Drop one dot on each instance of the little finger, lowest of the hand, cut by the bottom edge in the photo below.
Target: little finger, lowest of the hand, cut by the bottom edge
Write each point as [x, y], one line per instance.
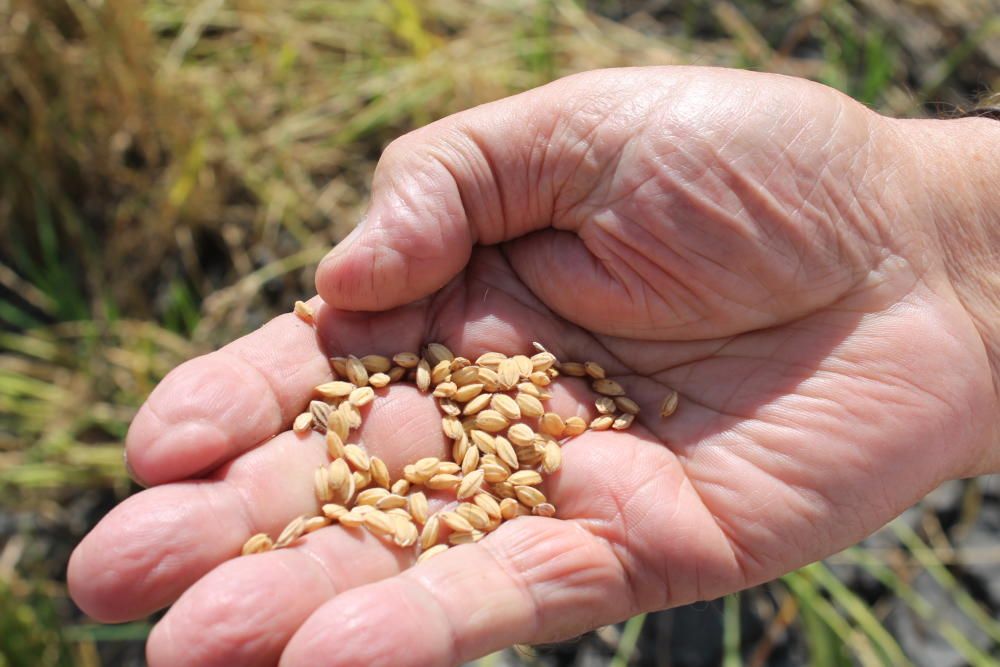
[532, 580]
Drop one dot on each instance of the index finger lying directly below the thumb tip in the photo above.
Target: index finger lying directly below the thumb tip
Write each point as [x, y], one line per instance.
[210, 409]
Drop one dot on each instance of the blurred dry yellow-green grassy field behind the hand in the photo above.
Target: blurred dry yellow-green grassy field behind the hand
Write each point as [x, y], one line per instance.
[170, 173]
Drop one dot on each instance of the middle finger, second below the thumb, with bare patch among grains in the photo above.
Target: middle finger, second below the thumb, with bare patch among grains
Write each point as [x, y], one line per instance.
[153, 546]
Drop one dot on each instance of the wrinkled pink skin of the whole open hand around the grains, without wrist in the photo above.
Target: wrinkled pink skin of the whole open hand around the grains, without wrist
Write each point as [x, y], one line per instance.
[762, 244]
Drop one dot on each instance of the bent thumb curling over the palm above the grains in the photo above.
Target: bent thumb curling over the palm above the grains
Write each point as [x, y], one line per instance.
[479, 176]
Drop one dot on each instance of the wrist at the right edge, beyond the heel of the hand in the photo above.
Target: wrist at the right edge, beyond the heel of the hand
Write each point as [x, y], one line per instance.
[959, 161]
